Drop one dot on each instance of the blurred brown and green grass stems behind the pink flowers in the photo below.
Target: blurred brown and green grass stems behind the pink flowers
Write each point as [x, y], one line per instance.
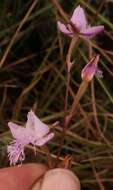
[33, 75]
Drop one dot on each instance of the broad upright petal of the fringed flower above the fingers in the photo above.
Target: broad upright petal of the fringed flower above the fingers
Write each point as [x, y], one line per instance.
[34, 123]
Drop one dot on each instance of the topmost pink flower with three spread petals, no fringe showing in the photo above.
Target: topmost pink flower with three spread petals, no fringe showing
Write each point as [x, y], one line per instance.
[78, 24]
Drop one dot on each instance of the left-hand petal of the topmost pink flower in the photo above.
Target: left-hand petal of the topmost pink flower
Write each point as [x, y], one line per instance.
[63, 29]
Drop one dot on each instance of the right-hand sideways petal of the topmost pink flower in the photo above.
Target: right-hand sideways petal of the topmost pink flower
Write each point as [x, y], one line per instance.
[92, 31]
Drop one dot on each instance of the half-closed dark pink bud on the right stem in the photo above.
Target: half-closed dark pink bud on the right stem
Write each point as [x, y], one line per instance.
[91, 69]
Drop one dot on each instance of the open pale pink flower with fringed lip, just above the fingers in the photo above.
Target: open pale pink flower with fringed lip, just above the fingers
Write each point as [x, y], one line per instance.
[35, 132]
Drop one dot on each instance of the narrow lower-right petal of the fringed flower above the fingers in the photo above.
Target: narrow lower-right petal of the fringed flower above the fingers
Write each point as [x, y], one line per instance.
[42, 141]
